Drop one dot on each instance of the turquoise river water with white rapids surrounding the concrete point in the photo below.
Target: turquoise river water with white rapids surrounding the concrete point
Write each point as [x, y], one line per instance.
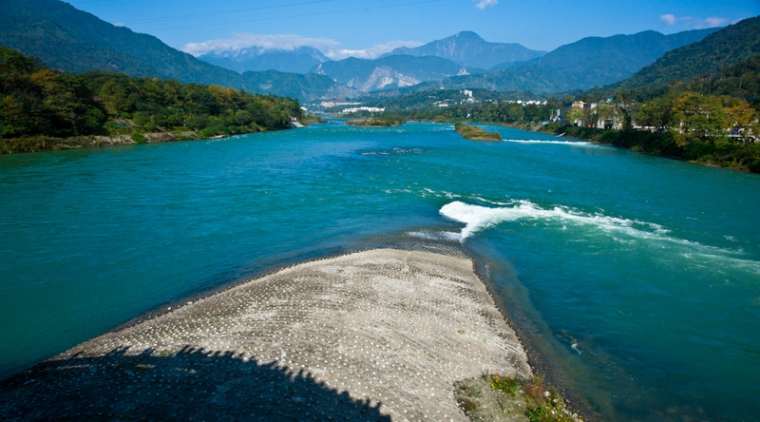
[635, 279]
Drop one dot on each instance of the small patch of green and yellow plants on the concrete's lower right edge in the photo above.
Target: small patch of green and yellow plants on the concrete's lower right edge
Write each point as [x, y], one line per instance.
[501, 398]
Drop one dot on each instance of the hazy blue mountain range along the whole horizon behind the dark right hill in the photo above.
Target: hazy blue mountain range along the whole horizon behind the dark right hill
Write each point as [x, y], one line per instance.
[68, 39]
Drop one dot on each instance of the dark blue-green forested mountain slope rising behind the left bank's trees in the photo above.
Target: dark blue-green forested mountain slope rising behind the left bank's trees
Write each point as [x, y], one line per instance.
[68, 39]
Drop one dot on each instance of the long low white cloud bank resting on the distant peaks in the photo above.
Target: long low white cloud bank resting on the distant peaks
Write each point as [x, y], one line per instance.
[331, 48]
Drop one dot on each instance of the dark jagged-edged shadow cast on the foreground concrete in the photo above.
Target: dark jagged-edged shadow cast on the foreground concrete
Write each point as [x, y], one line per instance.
[190, 384]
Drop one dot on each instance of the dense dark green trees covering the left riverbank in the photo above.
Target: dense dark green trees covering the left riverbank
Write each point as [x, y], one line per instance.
[45, 109]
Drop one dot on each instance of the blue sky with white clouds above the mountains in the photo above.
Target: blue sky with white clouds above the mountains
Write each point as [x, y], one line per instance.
[366, 28]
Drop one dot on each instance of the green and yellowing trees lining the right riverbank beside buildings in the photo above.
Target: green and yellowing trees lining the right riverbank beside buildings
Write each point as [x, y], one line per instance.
[709, 129]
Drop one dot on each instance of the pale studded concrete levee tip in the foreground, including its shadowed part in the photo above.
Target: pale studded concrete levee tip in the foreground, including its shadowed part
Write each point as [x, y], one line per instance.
[371, 335]
